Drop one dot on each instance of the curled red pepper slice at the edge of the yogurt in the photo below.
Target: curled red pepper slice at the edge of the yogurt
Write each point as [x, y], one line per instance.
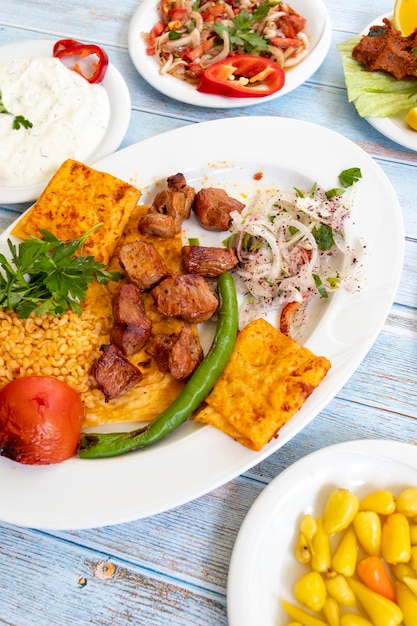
[89, 60]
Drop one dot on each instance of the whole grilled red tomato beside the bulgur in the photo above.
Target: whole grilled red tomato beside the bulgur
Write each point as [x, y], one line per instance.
[40, 420]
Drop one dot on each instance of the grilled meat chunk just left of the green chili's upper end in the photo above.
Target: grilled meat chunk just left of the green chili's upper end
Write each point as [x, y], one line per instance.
[187, 296]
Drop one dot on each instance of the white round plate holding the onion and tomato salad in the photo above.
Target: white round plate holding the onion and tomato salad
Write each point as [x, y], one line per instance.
[318, 29]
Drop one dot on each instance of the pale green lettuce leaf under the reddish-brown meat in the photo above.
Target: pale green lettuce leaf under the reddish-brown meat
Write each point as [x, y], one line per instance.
[375, 94]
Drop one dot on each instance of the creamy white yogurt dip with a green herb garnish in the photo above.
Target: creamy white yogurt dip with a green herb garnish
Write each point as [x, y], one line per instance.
[69, 119]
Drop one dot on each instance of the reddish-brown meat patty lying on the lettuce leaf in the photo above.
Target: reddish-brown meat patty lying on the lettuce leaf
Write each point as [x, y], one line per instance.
[384, 48]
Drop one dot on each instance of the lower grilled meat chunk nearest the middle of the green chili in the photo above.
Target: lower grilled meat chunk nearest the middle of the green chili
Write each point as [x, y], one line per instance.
[180, 355]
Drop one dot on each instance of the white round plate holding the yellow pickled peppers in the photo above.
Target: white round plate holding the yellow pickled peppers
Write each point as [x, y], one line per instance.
[263, 568]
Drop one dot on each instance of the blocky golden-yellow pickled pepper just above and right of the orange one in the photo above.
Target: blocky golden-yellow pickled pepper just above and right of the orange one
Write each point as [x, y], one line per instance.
[395, 539]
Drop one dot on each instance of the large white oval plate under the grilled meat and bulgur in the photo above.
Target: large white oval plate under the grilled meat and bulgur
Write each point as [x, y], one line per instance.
[196, 459]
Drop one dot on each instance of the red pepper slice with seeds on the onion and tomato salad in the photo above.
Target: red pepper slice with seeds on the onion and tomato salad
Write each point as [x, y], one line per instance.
[242, 76]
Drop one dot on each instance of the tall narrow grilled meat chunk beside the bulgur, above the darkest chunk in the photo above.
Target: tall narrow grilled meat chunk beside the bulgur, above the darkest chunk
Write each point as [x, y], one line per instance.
[132, 326]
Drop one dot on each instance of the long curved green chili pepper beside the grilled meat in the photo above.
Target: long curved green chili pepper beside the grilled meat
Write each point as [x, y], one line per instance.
[101, 445]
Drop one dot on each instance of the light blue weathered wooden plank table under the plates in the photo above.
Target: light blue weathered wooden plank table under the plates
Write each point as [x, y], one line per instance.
[172, 568]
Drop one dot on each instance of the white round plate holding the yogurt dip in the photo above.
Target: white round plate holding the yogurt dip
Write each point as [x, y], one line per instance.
[120, 107]
